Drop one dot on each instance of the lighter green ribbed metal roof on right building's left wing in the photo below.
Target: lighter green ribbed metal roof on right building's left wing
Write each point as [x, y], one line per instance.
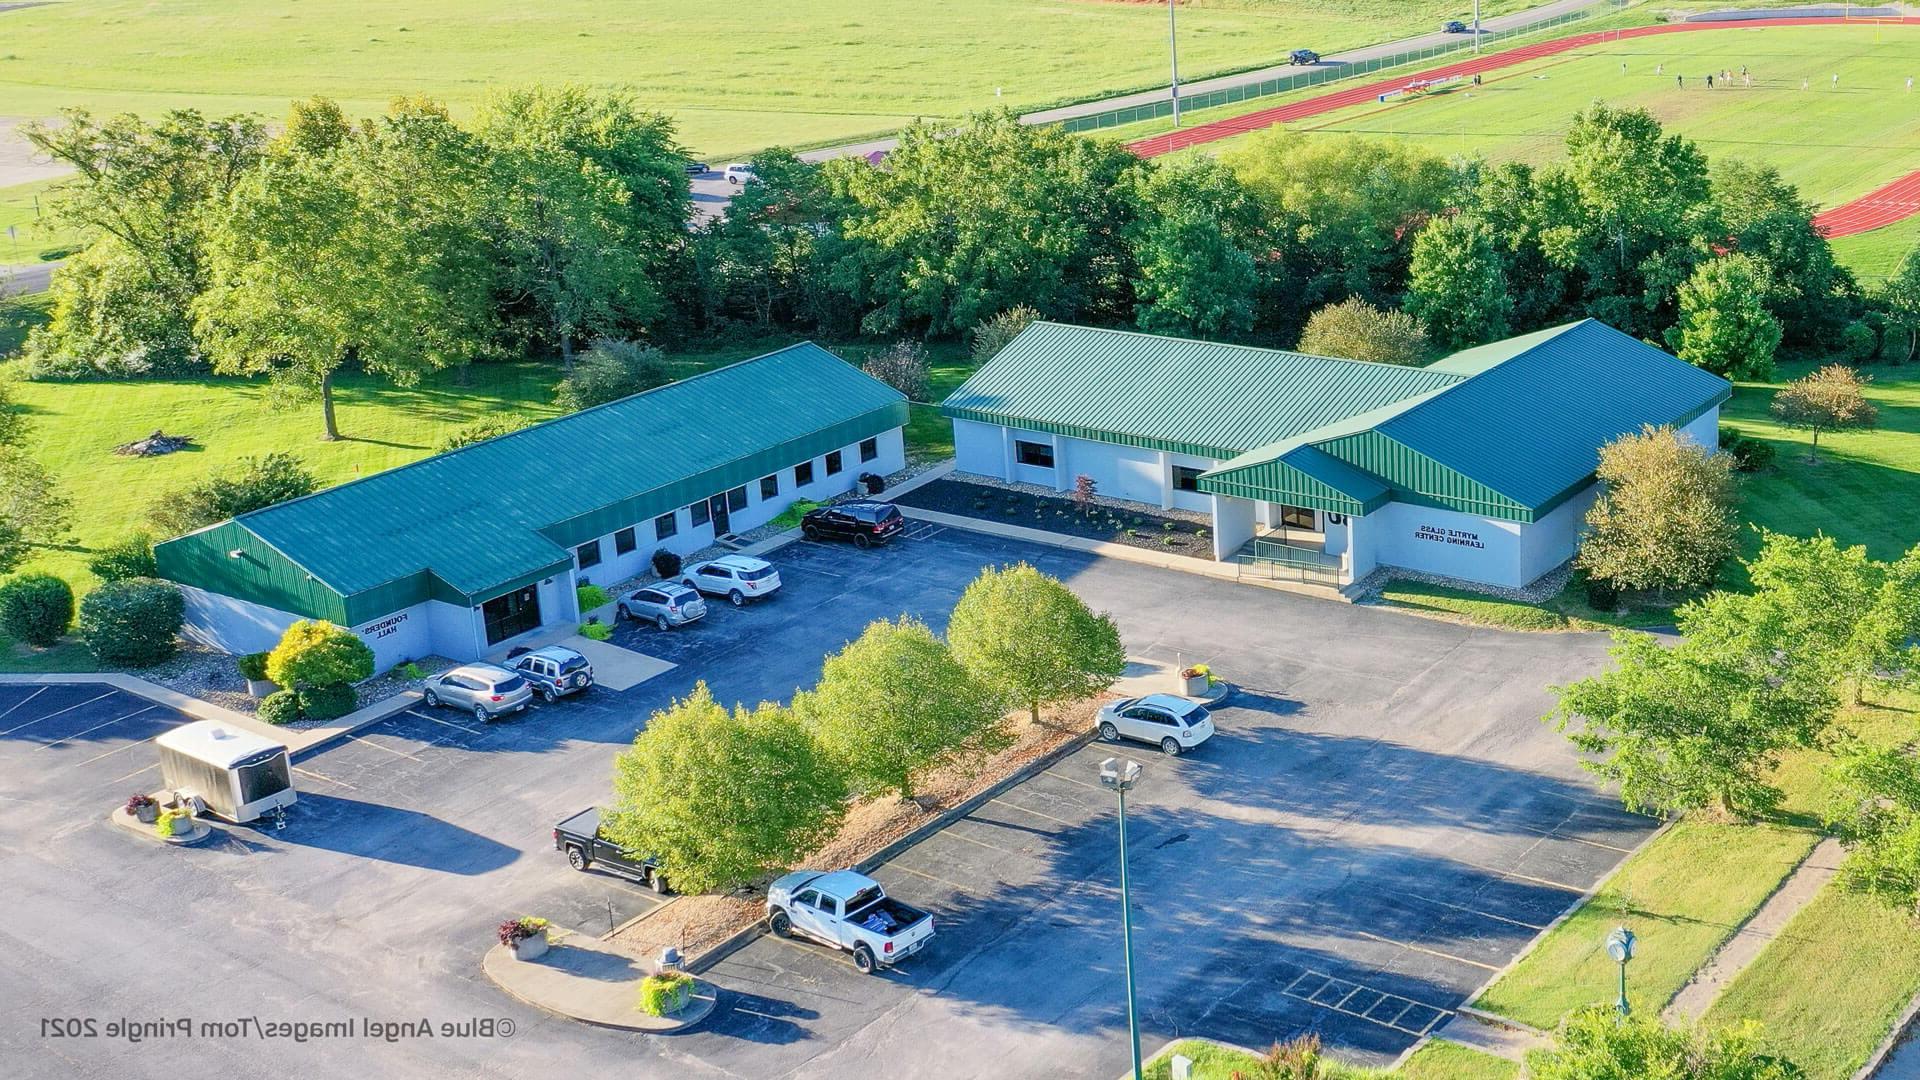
[1188, 397]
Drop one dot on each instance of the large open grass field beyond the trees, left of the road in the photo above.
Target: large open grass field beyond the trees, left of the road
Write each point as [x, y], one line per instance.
[734, 76]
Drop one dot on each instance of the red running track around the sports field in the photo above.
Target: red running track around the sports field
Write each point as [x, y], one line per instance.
[1894, 203]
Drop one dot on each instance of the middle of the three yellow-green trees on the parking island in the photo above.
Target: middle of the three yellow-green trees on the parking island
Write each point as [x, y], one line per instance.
[894, 704]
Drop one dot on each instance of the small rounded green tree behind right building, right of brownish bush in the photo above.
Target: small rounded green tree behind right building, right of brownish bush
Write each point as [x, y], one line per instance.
[1456, 283]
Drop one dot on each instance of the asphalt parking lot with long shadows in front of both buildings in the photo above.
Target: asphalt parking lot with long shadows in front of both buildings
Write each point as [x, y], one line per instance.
[1380, 823]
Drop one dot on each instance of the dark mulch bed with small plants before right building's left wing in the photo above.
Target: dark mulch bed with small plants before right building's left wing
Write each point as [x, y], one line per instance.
[1061, 514]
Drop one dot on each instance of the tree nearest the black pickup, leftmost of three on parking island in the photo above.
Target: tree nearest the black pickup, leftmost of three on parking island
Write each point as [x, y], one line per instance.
[723, 798]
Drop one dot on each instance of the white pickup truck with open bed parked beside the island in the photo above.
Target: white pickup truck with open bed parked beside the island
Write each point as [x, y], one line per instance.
[852, 914]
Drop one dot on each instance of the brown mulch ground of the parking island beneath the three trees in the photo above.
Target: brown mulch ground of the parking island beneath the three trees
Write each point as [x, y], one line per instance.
[698, 923]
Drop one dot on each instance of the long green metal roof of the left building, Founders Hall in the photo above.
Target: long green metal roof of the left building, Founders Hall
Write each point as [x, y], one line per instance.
[498, 514]
